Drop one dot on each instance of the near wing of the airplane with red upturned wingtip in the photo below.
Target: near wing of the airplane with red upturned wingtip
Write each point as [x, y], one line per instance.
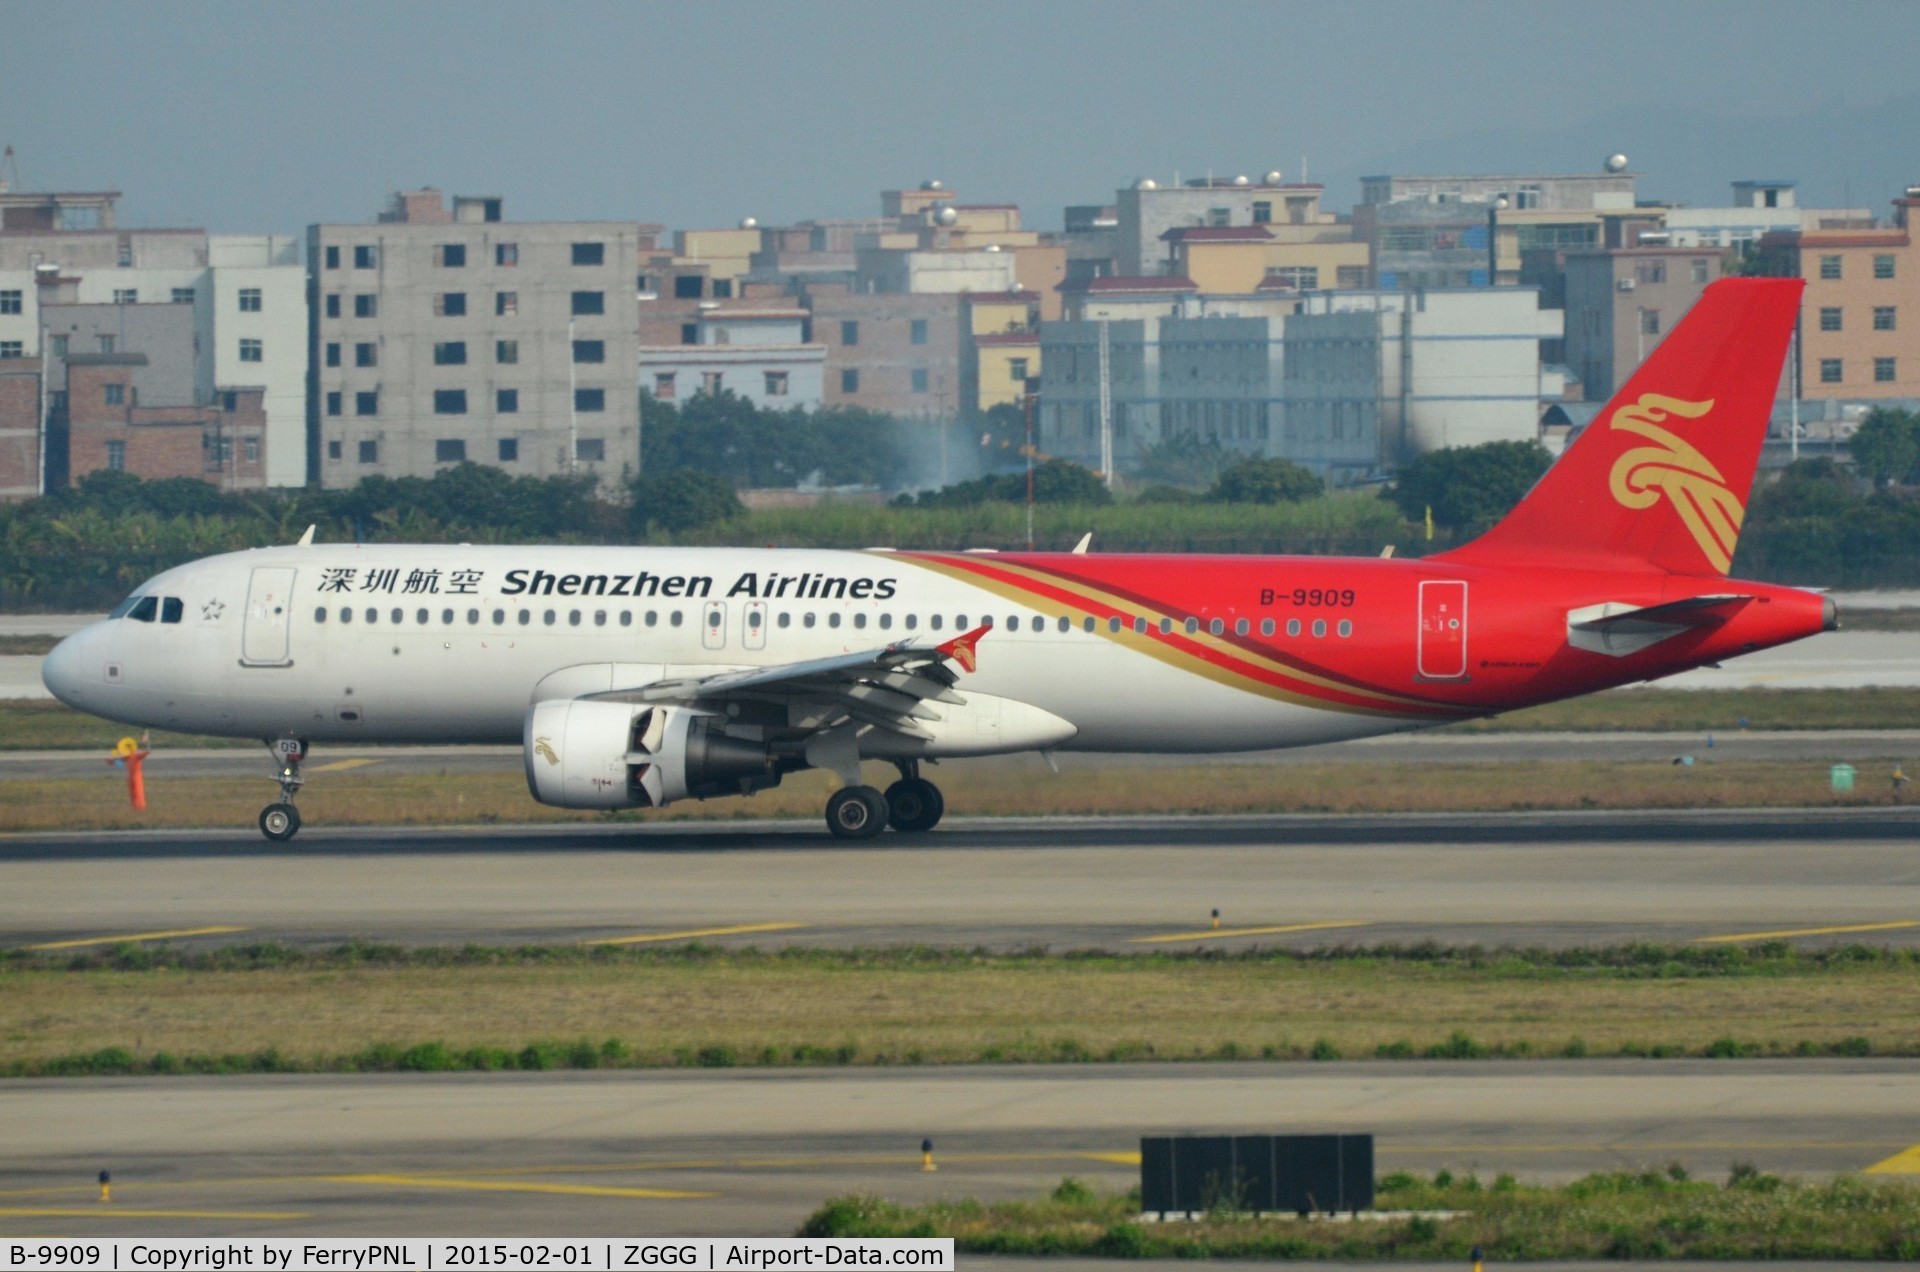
[888, 687]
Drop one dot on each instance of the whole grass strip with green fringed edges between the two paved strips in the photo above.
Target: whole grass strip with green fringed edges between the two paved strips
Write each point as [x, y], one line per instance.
[370, 1010]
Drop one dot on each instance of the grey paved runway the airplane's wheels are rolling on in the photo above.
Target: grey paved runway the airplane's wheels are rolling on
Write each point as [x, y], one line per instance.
[1514, 879]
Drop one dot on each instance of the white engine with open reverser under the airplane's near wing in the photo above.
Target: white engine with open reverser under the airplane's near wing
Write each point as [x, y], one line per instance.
[587, 754]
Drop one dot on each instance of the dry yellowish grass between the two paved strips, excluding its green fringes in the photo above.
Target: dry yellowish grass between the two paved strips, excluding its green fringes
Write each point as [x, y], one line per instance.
[761, 1010]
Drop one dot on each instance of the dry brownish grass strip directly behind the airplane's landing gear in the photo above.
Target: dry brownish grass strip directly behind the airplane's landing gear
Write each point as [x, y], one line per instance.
[980, 789]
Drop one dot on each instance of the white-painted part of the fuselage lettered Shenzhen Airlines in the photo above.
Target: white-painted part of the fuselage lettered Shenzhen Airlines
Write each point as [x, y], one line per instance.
[450, 645]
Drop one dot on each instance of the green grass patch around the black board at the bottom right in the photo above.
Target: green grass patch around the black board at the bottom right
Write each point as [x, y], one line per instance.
[1618, 1215]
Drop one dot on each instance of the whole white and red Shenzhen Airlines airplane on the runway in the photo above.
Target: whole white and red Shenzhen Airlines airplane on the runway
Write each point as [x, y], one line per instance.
[636, 677]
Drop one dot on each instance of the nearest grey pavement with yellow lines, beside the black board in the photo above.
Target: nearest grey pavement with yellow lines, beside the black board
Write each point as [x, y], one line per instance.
[752, 1152]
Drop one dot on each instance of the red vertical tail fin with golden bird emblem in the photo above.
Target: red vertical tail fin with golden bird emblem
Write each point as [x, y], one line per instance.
[1664, 472]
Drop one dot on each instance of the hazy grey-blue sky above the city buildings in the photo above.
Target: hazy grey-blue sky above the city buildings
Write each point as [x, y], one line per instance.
[270, 116]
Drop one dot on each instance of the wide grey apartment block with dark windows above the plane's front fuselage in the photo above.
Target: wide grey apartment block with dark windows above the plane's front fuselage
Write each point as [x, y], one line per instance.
[458, 337]
